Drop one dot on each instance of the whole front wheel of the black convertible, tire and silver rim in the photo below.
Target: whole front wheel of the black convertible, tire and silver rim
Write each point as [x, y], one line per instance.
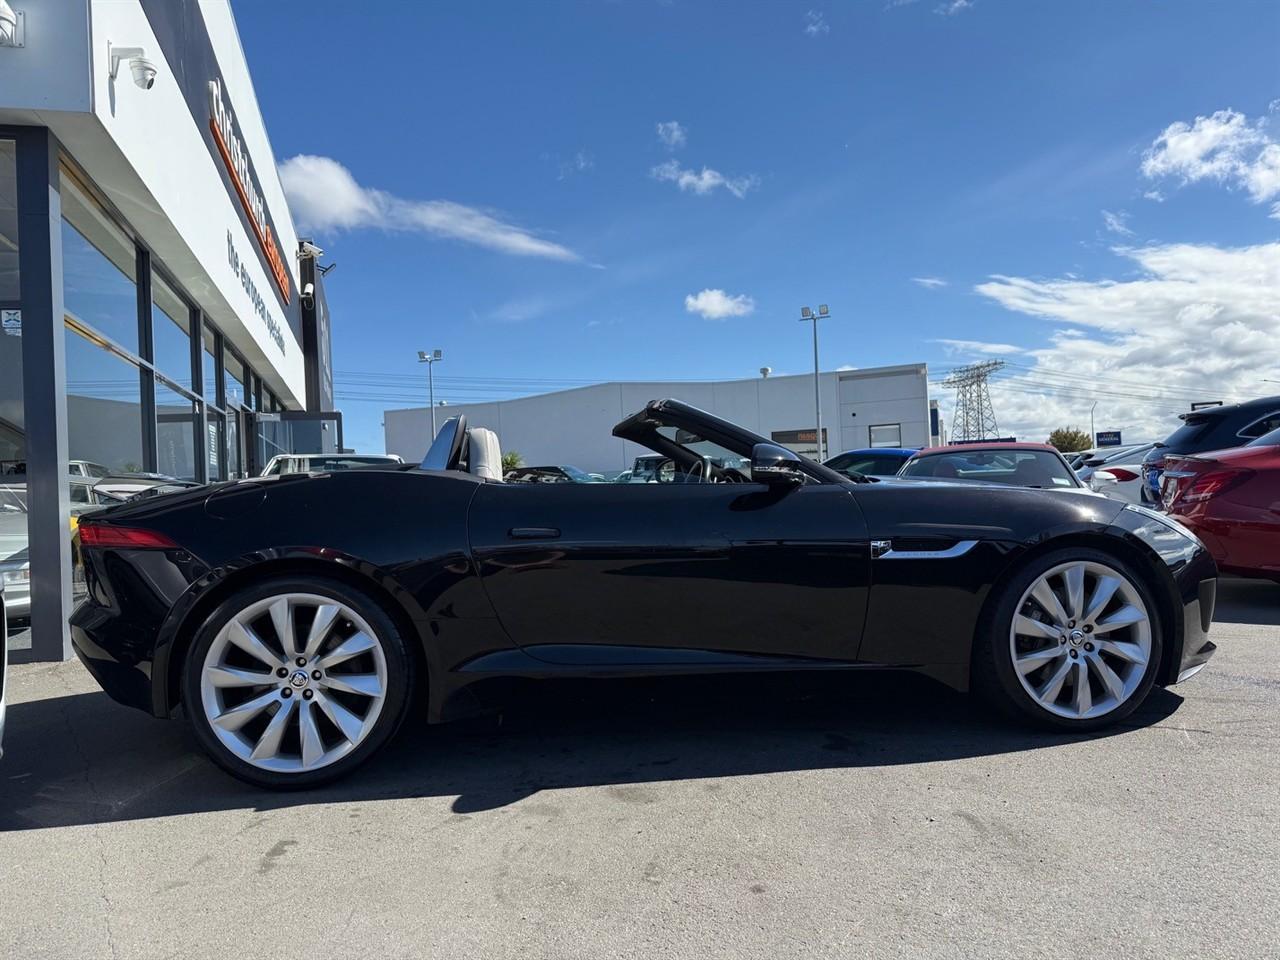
[1073, 642]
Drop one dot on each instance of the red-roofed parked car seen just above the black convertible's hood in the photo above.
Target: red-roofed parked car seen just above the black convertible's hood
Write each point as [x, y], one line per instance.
[1009, 464]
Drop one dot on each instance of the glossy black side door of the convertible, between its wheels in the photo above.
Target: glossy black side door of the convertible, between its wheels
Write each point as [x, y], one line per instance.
[647, 573]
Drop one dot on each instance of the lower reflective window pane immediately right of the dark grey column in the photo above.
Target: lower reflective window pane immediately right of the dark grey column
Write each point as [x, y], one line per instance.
[104, 406]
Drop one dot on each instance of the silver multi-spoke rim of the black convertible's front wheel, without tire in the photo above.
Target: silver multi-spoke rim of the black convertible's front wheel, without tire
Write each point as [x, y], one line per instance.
[1081, 639]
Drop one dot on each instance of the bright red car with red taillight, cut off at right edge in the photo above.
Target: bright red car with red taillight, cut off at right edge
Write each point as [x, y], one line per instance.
[1232, 501]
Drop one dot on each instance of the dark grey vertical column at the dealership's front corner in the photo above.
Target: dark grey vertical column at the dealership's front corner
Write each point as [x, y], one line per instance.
[44, 360]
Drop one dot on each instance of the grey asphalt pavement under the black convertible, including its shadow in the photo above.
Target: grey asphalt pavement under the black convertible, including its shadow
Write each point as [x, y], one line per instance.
[749, 817]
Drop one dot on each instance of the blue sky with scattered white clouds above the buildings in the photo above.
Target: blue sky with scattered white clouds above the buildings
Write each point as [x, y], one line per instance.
[492, 180]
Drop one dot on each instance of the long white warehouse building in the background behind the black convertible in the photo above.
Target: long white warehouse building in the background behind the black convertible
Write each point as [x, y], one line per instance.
[875, 408]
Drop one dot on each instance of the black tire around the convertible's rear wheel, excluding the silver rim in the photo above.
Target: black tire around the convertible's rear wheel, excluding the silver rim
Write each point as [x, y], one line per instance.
[400, 683]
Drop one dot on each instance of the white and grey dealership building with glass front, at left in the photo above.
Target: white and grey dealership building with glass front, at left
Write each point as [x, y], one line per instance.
[159, 312]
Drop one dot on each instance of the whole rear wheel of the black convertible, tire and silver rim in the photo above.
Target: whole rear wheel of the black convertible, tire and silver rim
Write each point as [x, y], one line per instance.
[296, 683]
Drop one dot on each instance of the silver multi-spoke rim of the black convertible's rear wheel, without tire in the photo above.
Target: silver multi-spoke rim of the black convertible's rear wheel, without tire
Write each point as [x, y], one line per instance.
[294, 683]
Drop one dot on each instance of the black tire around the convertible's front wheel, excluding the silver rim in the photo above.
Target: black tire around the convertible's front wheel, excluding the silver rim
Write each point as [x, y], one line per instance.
[994, 676]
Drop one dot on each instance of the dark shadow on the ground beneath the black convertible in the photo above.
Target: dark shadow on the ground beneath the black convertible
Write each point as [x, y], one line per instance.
[84, 760]
